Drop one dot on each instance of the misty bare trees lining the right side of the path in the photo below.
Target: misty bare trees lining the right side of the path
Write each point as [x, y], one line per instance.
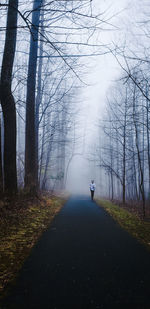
[121, 153]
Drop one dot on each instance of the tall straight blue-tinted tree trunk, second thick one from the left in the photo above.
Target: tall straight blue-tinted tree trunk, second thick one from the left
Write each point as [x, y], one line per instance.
[31, 169]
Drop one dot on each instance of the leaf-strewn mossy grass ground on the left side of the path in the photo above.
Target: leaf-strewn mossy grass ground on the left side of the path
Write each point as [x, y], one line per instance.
[21, 227]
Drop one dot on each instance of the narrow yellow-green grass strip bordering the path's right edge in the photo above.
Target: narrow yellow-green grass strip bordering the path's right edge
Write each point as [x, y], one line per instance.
[132, 223]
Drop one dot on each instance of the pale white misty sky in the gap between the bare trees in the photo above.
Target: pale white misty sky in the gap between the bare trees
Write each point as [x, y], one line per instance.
[102, 73]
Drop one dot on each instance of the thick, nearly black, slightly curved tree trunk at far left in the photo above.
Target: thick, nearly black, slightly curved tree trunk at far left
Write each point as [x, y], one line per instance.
[7, 100]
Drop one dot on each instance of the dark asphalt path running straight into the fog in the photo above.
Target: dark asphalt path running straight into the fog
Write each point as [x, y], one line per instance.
[84, 261]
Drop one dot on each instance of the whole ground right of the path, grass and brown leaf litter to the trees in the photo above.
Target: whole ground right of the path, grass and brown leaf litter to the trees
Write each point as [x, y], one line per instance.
[130, 218]
